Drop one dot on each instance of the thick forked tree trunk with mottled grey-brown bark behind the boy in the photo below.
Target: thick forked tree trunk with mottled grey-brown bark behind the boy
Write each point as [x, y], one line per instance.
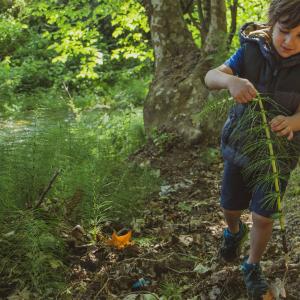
[177, 92]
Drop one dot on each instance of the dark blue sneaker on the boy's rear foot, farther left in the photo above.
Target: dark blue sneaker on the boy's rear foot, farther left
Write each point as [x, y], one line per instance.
[232, 243]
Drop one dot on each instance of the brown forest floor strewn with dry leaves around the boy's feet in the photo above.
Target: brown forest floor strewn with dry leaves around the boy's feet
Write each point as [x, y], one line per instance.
[174, 254]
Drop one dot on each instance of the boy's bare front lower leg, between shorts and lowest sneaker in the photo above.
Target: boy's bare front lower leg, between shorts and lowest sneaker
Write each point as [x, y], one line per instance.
[260, 235]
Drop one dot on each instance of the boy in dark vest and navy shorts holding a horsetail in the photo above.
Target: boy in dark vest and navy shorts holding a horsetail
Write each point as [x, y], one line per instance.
[268, 62]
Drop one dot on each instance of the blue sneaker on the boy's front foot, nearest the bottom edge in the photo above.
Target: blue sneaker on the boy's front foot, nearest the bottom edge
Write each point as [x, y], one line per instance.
[254, 279]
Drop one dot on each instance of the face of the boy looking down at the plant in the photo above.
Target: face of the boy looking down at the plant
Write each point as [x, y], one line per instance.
[286, 41]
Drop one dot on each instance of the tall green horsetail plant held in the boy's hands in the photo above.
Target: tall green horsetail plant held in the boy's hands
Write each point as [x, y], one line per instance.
[266, 157]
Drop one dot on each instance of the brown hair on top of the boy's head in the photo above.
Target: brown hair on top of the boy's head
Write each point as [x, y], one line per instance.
[287, 12]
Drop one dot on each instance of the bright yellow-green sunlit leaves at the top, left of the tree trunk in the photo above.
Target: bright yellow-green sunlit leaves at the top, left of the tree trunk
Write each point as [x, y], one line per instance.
[74, 32]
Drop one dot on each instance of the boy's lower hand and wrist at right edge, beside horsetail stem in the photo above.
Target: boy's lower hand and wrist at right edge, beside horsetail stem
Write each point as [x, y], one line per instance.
[286, 125]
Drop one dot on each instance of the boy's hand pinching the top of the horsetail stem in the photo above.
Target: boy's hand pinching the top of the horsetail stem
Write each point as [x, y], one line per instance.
[242, 90]
